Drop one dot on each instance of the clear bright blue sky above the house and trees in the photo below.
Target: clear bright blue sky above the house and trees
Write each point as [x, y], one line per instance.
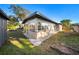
[55, 12]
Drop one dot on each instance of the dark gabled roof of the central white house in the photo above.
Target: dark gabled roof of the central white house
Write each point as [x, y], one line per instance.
[38, 15]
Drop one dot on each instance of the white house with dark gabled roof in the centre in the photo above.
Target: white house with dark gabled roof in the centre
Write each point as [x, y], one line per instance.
[38, 28]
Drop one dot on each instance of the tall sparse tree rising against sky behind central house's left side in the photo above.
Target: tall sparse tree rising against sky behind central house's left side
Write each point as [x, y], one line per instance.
[19, 11]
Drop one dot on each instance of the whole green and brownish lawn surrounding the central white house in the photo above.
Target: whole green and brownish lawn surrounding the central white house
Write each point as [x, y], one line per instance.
[18, 44]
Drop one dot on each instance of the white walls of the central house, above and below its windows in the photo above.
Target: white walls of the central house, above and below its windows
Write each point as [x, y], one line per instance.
[33, 35]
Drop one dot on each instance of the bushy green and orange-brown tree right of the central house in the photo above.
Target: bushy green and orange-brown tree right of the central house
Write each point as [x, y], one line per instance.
[66, 23]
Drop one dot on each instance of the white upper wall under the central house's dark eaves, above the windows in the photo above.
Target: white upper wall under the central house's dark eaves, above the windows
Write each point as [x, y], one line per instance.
[36, 20]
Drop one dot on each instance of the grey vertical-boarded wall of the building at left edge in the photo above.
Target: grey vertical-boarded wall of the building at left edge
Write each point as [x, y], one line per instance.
[3, 28]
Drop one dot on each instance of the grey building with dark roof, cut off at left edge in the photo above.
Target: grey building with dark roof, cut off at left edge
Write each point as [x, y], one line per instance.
[3, 27]
